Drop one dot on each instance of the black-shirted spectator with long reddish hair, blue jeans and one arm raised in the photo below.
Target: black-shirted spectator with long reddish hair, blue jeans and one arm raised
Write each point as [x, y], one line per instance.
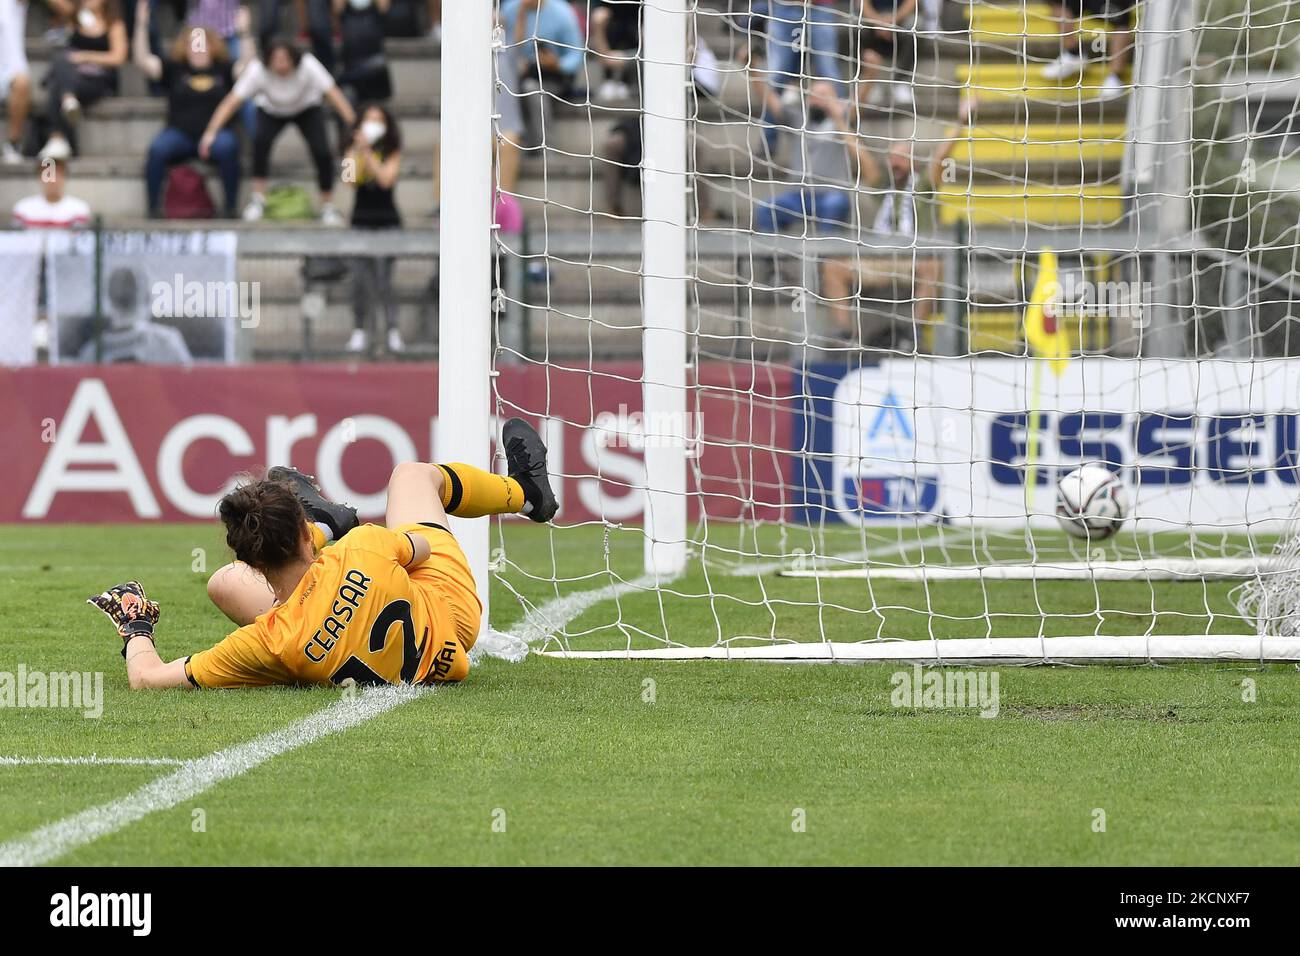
[198, 75]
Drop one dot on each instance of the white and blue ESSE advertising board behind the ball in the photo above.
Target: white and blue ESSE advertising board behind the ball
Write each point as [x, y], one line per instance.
[1198, 444]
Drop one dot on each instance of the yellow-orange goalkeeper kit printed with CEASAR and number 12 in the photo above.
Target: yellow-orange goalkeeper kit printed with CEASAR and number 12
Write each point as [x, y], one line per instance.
[359, 613]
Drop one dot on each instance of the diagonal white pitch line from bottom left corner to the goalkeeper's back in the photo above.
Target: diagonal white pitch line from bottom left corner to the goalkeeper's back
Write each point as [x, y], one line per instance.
[198, 776]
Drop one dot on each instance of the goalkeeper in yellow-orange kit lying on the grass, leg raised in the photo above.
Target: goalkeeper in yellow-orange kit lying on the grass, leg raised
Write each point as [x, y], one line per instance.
[384, 605]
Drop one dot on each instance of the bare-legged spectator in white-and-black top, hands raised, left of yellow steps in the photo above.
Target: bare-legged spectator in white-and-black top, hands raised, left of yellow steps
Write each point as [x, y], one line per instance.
[908, 271]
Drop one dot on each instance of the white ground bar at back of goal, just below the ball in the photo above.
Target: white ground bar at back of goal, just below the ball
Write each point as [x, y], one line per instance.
[1129, 570]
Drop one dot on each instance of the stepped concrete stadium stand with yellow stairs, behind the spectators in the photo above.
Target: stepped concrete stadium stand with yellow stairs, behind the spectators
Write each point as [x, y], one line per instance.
[575, 299]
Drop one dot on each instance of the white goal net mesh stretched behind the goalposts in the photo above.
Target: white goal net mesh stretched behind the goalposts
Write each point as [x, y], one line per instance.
[938, 256]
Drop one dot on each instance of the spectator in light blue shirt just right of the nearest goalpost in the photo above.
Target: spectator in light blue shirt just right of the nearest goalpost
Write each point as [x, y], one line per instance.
[549, 55]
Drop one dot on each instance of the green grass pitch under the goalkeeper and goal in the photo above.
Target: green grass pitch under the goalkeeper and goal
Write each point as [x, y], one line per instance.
[556, 762]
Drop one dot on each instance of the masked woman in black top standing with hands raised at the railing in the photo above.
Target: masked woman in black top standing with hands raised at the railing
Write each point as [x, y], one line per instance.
[374, 165]
